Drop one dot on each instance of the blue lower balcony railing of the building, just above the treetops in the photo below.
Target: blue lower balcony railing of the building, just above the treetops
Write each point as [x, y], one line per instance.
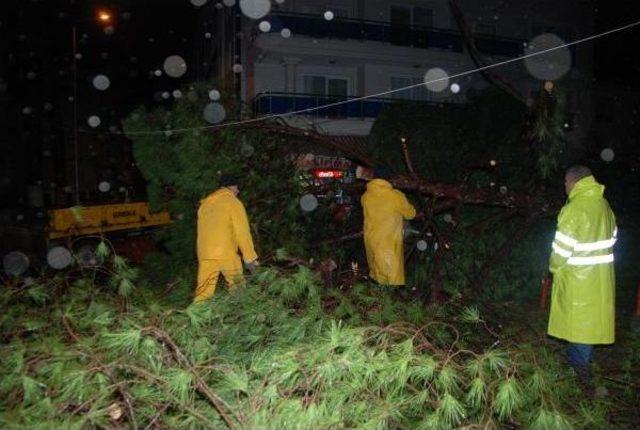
[280, 103]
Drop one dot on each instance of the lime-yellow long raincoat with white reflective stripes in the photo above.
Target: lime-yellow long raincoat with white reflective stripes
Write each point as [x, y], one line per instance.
[583, 292]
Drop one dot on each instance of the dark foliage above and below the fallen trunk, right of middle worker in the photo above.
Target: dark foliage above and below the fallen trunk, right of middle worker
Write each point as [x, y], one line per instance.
[492, 141]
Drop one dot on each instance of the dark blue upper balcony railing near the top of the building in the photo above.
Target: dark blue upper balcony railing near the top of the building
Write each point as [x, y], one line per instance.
[378, 31]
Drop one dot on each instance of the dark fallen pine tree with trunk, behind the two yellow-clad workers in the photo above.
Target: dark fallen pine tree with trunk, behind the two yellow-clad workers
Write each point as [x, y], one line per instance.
[463, 163]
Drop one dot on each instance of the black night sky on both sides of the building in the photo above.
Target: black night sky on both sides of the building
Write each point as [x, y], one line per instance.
[37, 78]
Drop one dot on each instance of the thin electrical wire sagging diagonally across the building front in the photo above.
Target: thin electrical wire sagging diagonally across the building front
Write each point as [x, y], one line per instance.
[388, 92]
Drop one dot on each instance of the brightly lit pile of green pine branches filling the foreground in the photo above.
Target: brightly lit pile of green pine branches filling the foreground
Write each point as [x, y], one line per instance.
[286, 353]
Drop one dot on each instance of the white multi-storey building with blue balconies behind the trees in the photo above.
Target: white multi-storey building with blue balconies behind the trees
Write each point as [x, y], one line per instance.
[315, 53]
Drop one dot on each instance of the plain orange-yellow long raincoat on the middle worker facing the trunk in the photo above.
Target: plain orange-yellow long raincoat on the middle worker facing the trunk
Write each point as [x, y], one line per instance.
[385, 209]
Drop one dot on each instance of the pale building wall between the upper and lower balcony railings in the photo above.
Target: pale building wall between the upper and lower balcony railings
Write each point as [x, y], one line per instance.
[369, 66]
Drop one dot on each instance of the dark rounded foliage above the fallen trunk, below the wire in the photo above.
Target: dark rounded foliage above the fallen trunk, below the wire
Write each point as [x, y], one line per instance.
[449, 142]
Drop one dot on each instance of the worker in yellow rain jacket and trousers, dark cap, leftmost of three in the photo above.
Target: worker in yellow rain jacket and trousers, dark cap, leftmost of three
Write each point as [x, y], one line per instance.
[223, 228]
